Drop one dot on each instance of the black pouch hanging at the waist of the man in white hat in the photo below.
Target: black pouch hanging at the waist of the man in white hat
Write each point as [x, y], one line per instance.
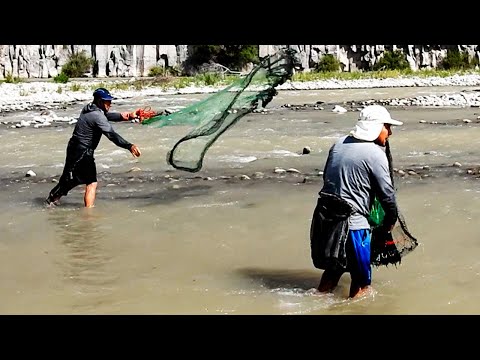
[329, 232]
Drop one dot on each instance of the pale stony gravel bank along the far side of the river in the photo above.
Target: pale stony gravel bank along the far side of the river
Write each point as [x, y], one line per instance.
[31, 95]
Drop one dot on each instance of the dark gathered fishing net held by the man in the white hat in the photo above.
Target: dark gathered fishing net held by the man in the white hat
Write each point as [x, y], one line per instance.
[389, 247]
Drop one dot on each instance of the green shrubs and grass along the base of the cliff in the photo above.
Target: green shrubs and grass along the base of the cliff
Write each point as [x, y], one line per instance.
[234, 59]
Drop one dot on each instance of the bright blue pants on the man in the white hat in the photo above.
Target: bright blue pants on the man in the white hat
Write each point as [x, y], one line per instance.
[358, 255]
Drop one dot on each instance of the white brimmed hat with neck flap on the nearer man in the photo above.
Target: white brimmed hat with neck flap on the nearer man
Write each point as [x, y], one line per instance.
[370, 122]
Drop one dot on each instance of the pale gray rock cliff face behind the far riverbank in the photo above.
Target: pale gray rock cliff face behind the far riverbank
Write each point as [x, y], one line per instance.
[46, 61]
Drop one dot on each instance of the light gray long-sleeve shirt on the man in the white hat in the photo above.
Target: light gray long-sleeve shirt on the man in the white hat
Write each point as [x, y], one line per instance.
[357, 171]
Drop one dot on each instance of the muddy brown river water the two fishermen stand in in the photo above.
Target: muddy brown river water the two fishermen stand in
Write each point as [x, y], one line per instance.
[166, 241]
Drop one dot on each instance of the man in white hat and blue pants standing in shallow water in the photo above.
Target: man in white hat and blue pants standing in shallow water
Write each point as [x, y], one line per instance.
[356, 171]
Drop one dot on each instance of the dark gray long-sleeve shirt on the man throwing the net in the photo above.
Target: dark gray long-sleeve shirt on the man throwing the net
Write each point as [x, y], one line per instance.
[91, 124]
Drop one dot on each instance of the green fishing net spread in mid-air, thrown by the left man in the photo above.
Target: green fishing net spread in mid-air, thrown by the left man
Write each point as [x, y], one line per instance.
[215, 114]
